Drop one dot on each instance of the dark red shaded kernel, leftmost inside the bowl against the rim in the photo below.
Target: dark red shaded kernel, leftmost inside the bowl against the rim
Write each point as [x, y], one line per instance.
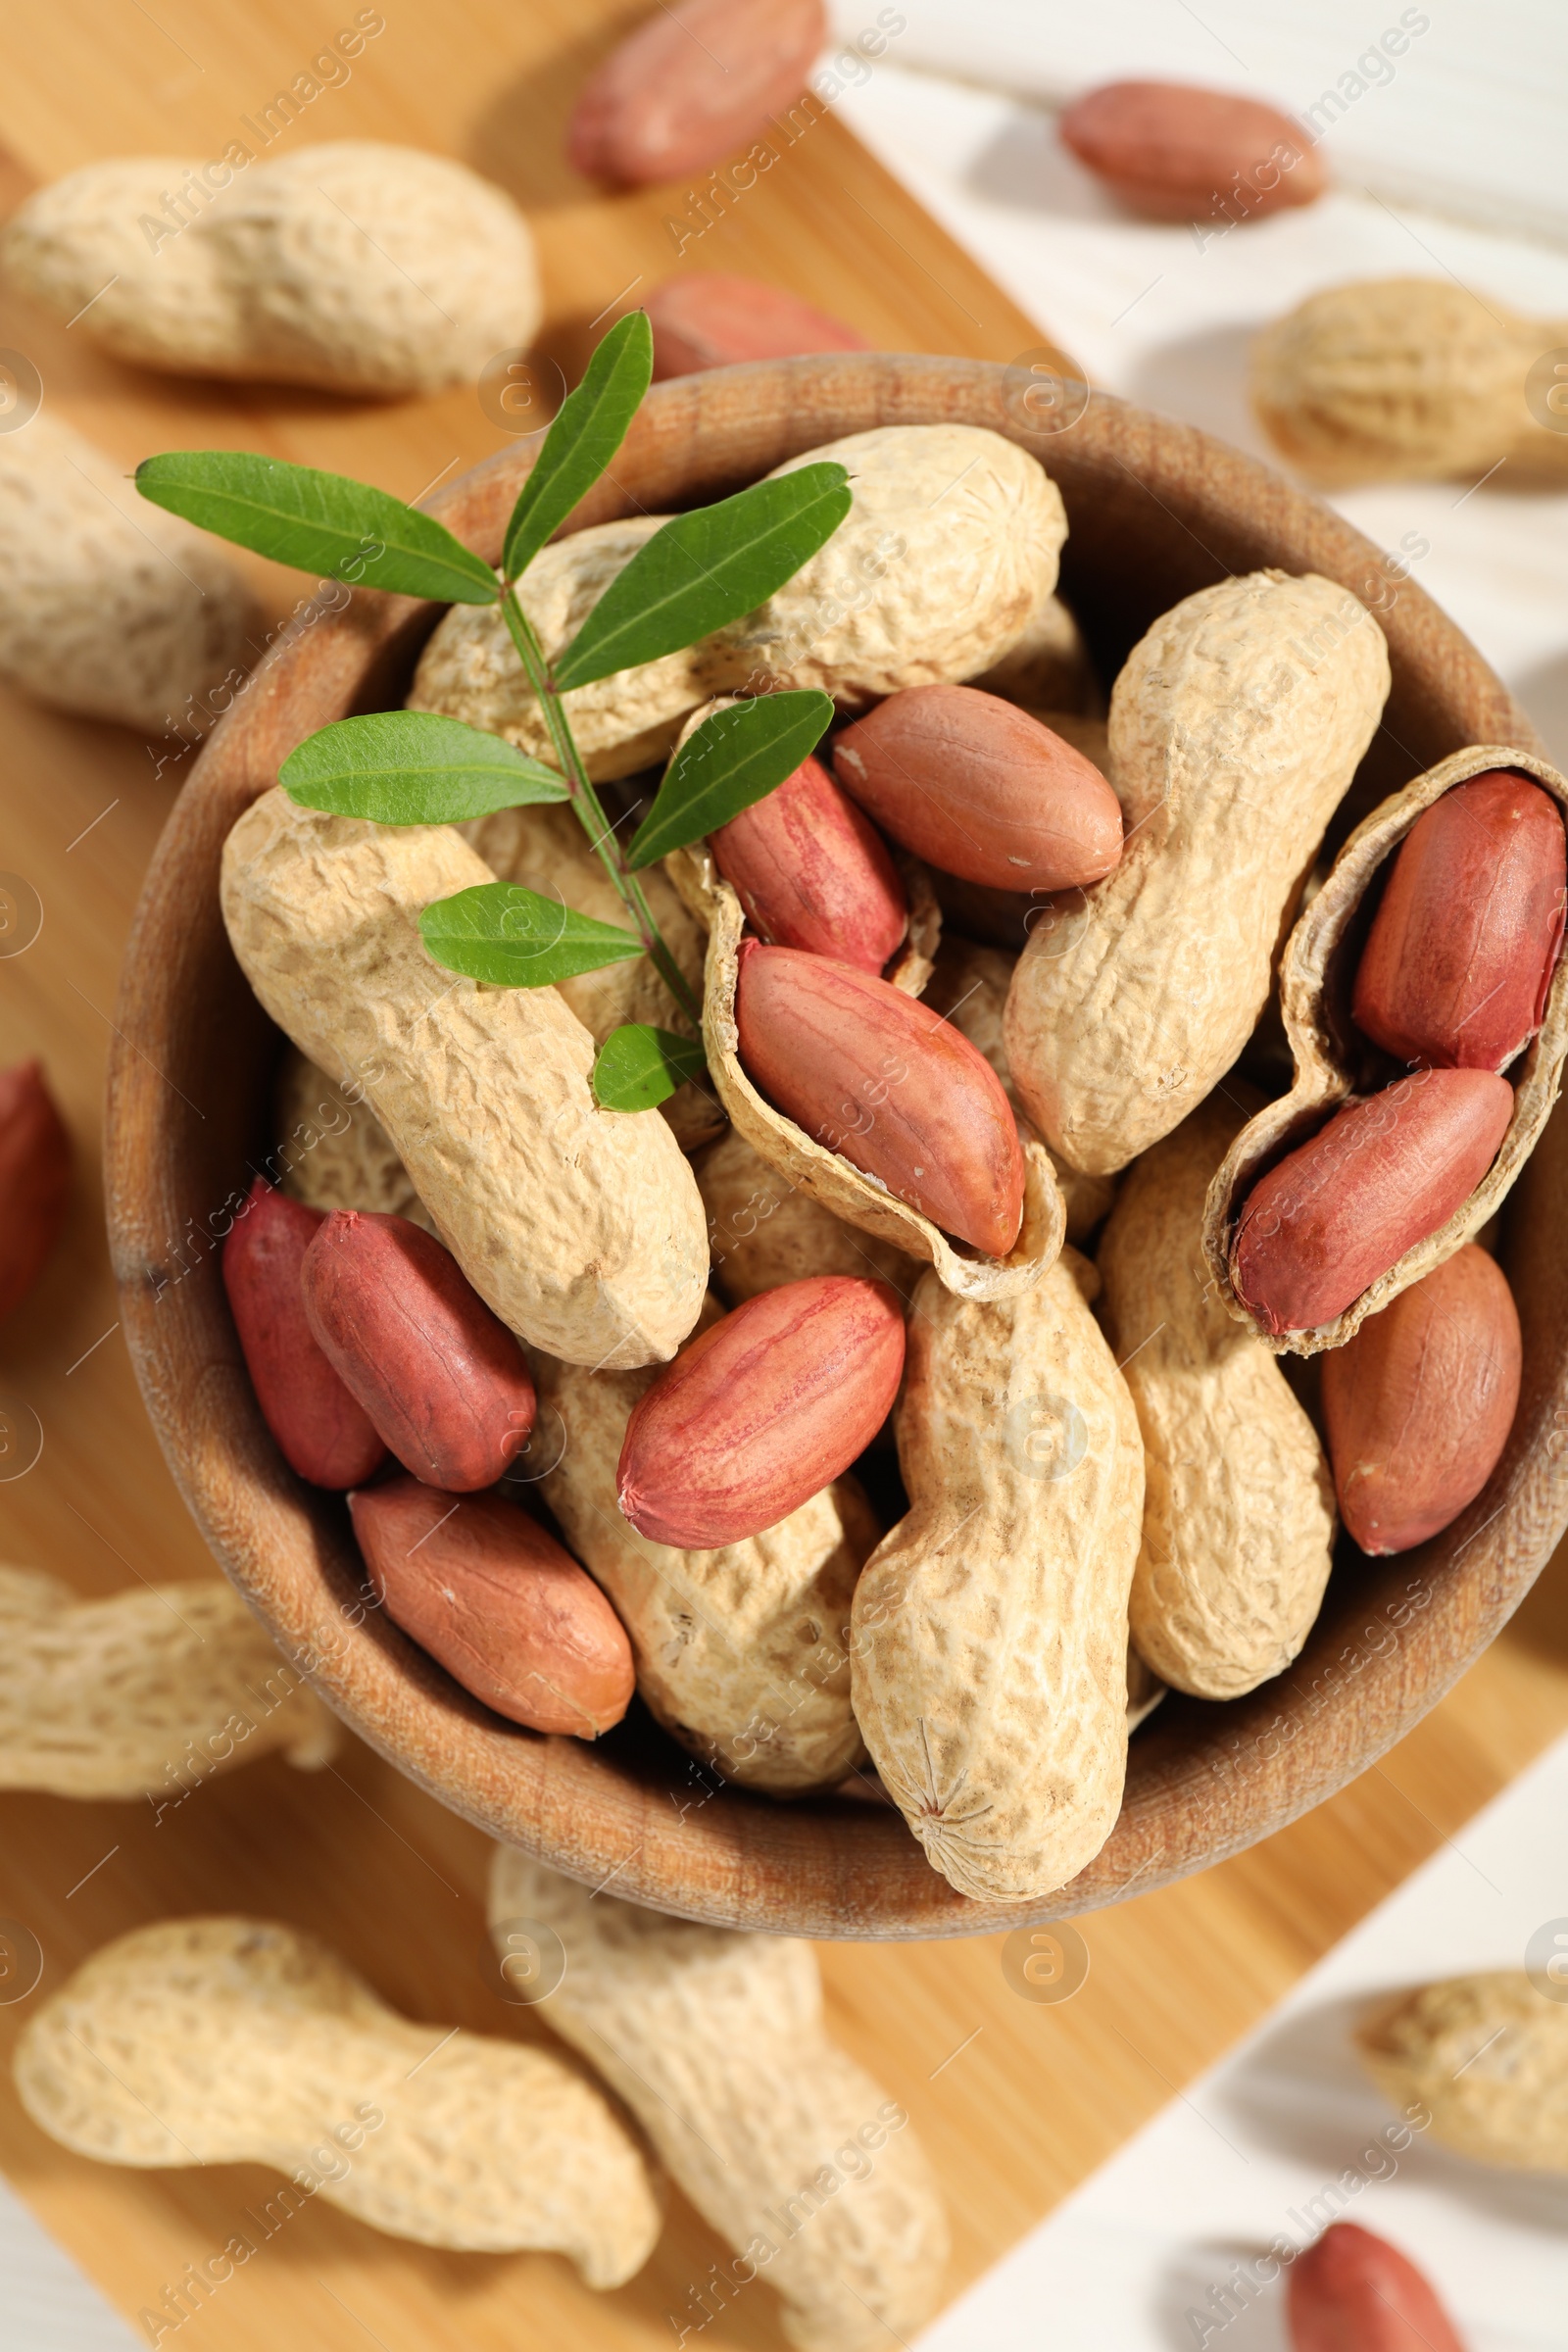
[321, 1426]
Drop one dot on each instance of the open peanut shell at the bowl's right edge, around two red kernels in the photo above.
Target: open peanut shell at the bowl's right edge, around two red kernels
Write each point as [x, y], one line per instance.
[1332, 1057]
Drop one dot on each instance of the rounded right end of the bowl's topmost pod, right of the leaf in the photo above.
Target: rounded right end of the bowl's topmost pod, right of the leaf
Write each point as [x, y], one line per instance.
[946, 556]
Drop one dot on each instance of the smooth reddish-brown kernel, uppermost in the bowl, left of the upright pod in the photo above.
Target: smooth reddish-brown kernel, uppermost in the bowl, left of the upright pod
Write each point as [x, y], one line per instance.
[981, 791]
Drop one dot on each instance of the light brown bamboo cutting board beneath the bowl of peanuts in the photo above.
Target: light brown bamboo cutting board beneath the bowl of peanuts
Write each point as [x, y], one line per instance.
[1014, 2102]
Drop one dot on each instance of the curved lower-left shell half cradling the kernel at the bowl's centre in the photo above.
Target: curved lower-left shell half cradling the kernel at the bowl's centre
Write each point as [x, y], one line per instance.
[838, 1187]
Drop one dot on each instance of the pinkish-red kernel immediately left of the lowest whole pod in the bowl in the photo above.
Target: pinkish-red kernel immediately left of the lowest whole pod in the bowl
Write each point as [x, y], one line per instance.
[763, 1412]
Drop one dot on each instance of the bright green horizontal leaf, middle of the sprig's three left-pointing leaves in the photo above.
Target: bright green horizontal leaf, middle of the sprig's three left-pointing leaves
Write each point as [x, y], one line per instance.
[413, 768]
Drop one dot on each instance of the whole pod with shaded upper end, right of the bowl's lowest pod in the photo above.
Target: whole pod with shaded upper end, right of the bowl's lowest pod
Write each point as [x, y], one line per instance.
[1238, 1521]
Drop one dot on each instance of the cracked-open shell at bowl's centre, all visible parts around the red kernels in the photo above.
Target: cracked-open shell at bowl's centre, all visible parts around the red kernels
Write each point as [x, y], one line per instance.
[822, 1172]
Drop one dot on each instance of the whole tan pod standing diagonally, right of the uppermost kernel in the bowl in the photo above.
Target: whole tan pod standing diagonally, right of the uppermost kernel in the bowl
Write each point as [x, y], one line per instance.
[1235, 730]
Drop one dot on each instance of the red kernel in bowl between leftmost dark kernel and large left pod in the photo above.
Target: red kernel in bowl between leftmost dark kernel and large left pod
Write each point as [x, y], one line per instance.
[441, 1377]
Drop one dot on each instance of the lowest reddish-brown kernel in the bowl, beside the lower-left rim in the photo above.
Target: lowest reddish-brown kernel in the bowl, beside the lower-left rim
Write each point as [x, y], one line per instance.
[500, 1605]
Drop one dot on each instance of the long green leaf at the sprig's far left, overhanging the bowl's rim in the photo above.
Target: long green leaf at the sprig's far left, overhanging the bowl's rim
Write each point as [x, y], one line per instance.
[319, 523]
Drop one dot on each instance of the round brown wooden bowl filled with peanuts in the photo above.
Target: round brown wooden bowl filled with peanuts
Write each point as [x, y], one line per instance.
[1155, 514]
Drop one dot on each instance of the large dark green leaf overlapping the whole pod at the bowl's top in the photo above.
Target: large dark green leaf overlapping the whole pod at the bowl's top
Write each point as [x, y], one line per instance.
[704, 570]
